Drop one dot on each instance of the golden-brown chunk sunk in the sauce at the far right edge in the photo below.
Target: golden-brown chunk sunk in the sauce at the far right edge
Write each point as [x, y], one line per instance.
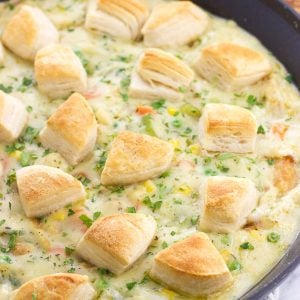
[285, 174]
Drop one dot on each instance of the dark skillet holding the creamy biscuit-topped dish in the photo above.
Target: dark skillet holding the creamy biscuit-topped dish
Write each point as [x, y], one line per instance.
[278, 28]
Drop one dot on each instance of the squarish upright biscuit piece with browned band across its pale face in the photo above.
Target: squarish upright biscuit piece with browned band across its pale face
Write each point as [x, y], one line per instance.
[227, 128]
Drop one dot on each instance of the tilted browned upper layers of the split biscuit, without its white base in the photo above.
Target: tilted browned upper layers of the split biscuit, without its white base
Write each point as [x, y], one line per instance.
[157, 66]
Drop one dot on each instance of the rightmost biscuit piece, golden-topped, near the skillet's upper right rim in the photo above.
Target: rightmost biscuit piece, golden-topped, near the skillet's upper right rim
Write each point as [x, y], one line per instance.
[231, 66]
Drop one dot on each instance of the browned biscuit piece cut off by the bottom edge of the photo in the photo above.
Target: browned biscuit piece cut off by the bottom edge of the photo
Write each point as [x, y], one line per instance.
[63, 286]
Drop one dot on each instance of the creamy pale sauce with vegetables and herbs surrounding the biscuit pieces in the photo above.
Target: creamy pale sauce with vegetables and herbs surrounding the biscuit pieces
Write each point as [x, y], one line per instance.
[112, 61]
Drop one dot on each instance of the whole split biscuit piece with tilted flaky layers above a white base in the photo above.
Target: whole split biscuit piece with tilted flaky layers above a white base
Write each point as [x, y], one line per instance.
[159, 74]
